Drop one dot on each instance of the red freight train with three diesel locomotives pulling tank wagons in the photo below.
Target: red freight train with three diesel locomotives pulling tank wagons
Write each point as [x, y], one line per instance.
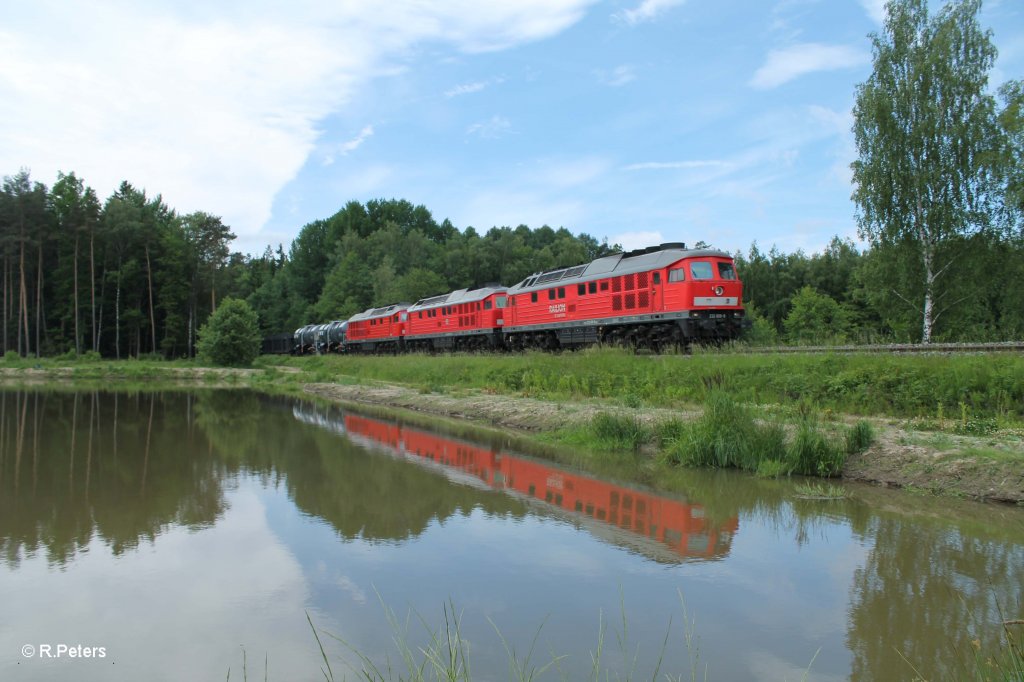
[654, 299]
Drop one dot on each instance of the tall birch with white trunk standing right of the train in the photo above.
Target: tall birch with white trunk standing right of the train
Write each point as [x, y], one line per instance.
[926, 131]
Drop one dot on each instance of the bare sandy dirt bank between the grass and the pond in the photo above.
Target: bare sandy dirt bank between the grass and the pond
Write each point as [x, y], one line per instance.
[984, 468]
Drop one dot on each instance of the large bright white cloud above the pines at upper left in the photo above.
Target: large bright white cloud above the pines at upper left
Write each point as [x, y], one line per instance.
[217, 106]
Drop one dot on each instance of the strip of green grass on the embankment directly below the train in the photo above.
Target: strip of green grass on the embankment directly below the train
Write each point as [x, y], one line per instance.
[985, 387]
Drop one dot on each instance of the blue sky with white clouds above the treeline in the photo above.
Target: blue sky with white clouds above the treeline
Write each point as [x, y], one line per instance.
[636, 121]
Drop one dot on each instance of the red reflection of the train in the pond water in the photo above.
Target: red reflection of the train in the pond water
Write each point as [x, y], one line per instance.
[652, 524]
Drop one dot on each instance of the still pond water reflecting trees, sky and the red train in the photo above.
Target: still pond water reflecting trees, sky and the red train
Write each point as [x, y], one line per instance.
[189, 536]
